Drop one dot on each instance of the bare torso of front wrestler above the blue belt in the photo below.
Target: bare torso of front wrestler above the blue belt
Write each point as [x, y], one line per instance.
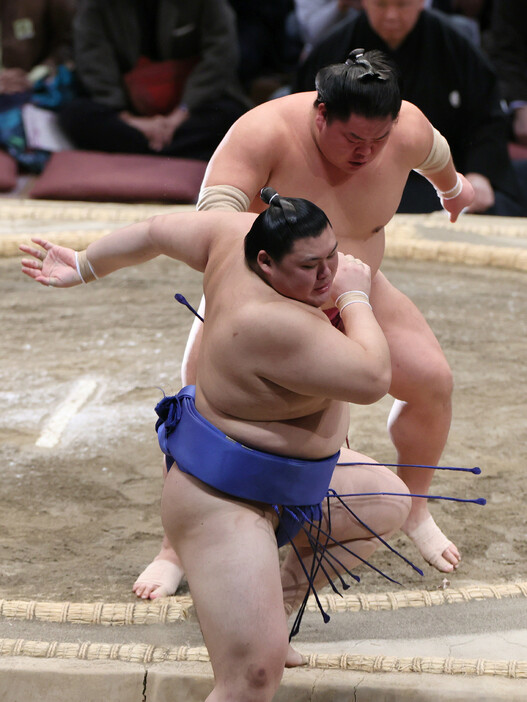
[233, 390]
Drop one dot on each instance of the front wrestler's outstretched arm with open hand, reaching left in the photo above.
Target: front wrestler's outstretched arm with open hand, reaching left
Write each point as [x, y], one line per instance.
[185, 236]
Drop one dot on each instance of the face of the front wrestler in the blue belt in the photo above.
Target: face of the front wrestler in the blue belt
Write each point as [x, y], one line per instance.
[307, 271]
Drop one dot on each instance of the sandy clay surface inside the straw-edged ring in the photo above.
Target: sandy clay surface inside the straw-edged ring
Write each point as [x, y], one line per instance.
[79, 520]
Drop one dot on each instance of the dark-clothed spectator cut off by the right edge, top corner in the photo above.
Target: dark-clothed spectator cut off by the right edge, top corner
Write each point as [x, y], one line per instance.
[509, 54]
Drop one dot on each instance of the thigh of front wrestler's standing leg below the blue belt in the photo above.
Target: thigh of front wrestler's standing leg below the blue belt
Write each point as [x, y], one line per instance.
[229, 553]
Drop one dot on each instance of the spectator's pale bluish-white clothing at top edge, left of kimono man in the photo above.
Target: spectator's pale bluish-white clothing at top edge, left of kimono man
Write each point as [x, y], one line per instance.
[316, 17]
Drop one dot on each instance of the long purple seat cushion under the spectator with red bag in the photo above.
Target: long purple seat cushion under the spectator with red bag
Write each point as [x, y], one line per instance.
[103, 177]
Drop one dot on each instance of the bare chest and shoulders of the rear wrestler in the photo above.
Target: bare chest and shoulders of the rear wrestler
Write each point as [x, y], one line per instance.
[280, 149]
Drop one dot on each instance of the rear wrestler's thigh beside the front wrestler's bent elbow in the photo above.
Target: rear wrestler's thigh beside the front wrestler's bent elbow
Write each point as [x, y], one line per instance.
[418, 363]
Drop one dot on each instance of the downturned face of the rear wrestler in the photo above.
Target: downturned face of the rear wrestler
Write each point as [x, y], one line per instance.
[354, 144]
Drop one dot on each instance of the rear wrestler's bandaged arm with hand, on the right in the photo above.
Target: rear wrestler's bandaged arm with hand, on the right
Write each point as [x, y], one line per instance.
[430, 156]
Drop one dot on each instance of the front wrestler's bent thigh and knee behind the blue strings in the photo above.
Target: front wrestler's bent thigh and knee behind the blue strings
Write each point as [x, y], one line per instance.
[383, 513]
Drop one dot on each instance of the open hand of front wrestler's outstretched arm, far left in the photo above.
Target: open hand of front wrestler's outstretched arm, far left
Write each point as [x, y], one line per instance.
[54, 266]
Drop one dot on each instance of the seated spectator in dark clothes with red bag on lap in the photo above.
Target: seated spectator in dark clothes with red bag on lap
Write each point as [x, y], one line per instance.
[160, 77]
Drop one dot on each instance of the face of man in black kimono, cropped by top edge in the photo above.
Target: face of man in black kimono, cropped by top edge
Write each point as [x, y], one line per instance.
[393, 20]
